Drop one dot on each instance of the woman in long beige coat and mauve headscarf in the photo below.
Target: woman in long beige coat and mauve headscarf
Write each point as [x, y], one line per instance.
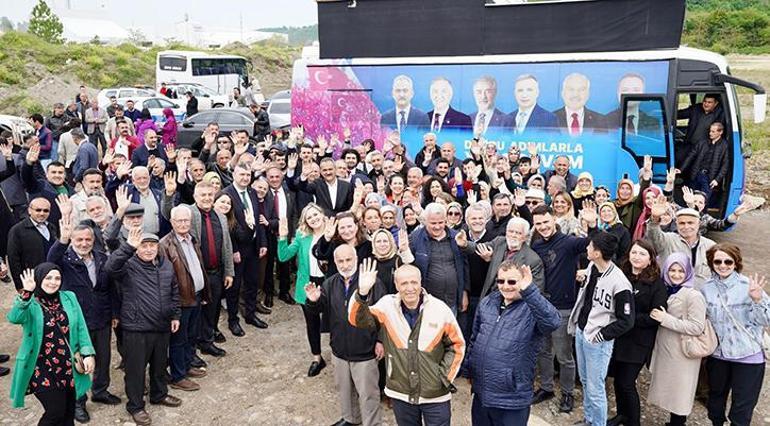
[674, 376]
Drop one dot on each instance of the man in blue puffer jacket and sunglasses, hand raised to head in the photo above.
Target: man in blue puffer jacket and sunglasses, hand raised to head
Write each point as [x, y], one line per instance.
[510, 327]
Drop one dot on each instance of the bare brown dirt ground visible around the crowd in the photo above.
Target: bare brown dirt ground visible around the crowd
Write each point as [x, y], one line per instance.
[263, 379]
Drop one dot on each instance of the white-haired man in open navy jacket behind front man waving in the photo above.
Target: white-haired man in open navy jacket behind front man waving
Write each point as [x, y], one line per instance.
[442, 263]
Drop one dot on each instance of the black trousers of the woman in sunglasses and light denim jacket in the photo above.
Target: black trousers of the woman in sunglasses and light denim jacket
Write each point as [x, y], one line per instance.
[745, 382]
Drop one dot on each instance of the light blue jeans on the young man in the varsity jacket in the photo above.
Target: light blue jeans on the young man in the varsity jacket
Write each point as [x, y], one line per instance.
[593, 359]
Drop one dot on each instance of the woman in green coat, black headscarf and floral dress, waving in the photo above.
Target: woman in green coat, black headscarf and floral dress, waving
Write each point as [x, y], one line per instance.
[54, 331]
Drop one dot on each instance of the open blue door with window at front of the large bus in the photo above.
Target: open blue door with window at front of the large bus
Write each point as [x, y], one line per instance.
[644, 131]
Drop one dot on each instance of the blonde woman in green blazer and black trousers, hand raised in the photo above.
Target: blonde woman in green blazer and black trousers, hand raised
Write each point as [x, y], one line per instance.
[312, 223]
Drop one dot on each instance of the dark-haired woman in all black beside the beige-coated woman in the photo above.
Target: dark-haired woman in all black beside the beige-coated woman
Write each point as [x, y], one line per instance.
[634, 349]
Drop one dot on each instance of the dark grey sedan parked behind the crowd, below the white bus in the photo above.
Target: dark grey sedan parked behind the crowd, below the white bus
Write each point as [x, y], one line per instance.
[229, 119]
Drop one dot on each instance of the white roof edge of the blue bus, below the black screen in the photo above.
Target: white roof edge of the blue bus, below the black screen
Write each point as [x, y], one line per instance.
[682, 52]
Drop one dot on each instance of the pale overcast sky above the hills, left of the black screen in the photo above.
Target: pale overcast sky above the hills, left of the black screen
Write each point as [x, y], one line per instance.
[147, 15]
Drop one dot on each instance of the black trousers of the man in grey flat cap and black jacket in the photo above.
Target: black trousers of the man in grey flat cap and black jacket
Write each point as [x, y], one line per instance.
[140, 349]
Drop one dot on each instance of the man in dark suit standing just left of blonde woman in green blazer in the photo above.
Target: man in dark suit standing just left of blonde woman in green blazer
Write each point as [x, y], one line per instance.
[284, 205]
